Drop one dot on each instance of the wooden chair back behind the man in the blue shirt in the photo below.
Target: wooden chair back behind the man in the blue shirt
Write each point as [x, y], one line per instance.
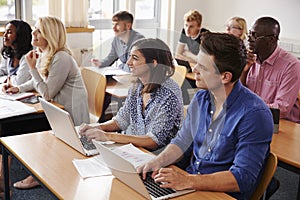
[268, 173]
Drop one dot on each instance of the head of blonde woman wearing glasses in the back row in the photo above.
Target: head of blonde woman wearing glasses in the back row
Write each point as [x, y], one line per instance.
[237, 26]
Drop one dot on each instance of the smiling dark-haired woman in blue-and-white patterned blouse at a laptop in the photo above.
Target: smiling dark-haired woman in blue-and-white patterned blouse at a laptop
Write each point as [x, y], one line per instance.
[153, 110]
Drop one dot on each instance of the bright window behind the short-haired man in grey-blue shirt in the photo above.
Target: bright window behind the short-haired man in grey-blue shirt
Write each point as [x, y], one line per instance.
[146, 20]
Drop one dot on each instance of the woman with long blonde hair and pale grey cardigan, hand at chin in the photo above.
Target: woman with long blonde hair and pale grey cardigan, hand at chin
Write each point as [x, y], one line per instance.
[55, 75]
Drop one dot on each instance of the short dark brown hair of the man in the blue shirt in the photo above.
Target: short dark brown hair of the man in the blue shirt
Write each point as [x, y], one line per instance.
[229, 52]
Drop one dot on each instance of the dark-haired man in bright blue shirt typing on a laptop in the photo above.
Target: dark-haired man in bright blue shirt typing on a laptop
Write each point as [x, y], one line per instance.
[227, 130]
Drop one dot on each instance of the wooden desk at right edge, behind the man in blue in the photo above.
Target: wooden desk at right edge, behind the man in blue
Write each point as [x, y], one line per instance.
[286, 145]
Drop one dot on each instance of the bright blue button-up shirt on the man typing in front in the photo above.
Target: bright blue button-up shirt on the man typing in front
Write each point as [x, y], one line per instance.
[238, 140]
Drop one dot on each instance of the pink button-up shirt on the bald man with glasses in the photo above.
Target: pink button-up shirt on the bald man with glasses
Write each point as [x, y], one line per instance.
[277, 82]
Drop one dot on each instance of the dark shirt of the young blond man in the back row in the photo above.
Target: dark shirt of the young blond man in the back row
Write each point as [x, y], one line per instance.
[193, 44]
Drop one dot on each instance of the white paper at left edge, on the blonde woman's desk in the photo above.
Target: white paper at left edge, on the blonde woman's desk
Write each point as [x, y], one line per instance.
[10, 108]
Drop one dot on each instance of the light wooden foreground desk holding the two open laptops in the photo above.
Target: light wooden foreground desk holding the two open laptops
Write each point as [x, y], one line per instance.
[57, 174]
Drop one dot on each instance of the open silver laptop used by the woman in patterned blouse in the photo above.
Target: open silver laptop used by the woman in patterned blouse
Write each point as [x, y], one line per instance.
[63, 128]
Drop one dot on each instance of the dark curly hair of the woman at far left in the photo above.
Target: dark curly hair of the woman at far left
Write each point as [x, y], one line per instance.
[22, 43]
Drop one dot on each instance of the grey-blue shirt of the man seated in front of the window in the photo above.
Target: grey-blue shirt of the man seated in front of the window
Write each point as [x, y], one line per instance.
[120, 50]
